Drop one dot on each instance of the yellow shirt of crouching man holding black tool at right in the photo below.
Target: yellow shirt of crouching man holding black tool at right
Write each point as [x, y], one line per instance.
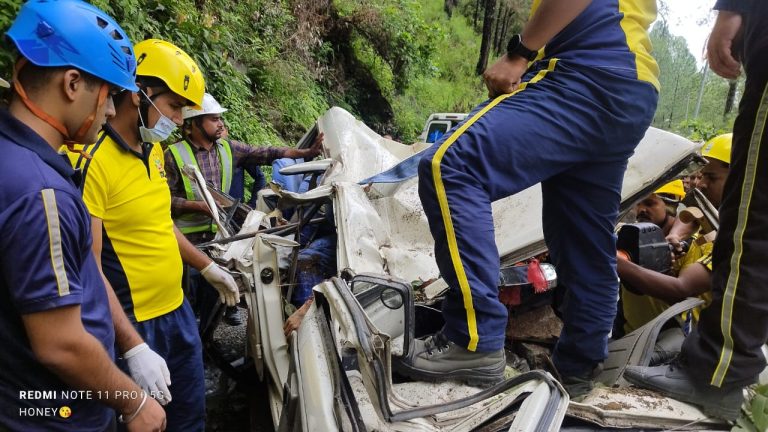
[641, 309]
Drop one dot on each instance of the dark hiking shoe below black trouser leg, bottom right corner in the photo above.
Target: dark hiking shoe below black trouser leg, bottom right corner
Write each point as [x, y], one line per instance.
[674, 381]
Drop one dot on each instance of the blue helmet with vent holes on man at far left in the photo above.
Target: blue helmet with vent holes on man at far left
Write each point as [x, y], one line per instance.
[53, 33]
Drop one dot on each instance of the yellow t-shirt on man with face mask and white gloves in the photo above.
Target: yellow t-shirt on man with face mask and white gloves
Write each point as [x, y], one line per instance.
[140, 255]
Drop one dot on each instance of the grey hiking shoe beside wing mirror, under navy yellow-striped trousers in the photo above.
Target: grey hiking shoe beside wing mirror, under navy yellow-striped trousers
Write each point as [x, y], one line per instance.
[435, 358]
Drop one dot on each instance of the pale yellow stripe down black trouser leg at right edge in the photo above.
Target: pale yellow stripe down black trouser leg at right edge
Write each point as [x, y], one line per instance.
[750, 173]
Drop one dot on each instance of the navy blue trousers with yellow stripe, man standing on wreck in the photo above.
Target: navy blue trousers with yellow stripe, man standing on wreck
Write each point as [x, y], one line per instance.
[572, 129]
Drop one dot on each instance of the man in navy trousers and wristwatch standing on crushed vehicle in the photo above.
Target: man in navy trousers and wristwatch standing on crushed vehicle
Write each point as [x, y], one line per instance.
[570, 101]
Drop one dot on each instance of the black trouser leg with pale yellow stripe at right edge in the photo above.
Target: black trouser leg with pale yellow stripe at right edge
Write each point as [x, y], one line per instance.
[725, 347]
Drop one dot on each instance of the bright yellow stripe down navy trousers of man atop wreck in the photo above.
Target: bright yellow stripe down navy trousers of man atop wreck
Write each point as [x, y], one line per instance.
[442, 198]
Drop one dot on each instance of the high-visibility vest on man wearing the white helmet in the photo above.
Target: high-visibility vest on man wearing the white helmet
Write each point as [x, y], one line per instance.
[183, 155]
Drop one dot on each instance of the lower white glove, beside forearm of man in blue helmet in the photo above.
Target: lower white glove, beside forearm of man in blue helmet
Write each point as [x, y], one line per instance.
[150, 372]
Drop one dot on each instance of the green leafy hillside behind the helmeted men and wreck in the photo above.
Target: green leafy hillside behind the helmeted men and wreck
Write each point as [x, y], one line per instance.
[278, 65]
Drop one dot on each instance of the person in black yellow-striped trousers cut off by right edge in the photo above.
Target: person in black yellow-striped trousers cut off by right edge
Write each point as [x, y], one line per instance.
[723, 353]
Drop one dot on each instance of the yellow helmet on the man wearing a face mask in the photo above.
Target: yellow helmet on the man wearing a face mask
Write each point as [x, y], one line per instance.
[164, 60]
